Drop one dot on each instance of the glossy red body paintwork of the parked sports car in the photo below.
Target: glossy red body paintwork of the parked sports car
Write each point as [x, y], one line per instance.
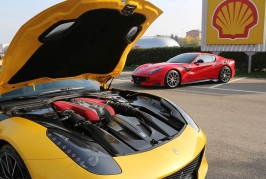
[197, 72]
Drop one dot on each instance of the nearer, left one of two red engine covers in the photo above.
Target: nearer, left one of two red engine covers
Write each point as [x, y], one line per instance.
[87, 113]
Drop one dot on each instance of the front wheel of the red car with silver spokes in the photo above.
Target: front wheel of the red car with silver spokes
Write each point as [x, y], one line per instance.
[172, 79]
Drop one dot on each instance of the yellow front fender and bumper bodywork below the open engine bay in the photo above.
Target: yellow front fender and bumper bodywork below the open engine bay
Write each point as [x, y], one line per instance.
[45, 160]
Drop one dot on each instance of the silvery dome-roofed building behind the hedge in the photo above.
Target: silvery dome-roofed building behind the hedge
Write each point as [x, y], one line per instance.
[155, 42]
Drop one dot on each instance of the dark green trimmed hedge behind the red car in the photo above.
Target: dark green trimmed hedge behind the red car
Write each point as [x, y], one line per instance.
[154, 55]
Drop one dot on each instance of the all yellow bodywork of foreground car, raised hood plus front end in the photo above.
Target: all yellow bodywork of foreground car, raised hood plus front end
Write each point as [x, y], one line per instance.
[41, 156]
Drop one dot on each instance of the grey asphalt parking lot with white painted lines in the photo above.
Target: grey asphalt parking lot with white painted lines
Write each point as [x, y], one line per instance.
[232, 115]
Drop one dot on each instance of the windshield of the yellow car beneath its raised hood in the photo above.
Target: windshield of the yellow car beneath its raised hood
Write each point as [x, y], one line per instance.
[52, 86]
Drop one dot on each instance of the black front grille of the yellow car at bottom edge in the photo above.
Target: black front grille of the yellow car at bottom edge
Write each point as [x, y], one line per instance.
[190, 171]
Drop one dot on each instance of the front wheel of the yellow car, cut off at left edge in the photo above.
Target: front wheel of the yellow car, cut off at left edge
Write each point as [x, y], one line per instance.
[11, 165]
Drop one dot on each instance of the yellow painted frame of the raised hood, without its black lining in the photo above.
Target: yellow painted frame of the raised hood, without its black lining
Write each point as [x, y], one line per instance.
[25, 42]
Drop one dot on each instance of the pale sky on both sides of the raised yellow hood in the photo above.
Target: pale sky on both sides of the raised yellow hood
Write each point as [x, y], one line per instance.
[179, 16]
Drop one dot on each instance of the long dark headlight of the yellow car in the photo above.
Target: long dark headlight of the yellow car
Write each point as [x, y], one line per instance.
[85, 155]
